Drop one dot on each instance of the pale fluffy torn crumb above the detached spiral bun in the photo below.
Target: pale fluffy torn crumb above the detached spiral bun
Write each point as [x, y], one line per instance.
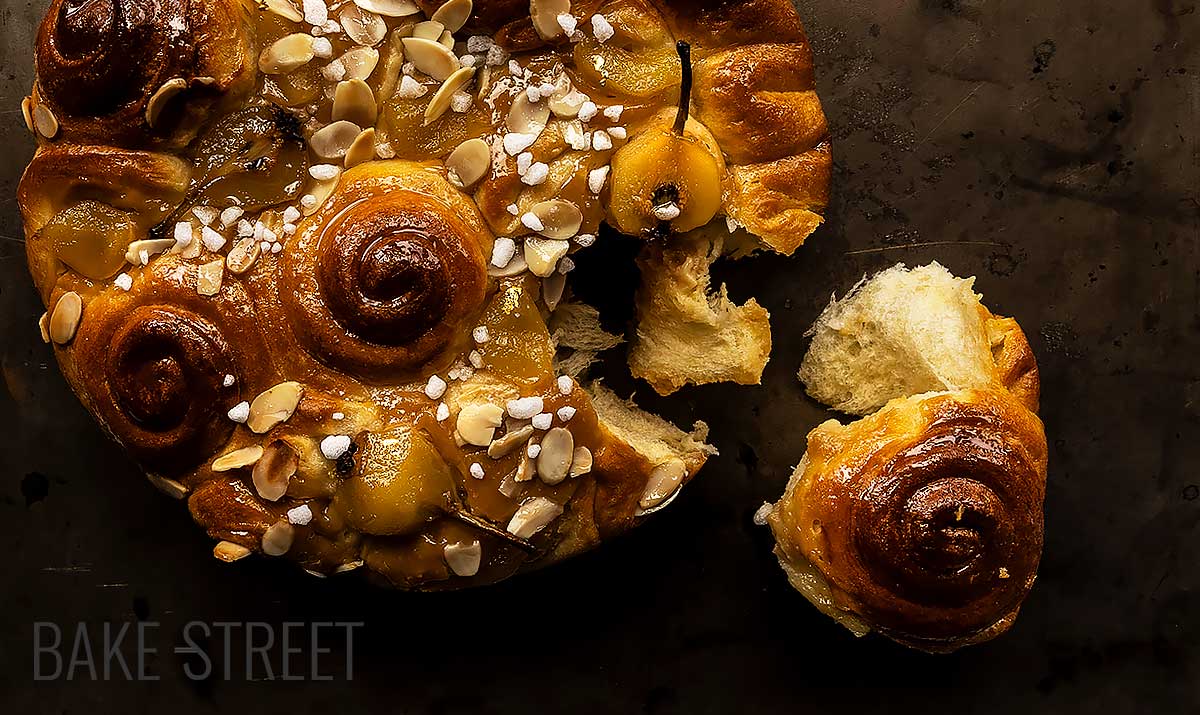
[903, 333]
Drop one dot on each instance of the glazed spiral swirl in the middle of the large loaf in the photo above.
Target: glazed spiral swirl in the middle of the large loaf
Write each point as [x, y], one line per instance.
[389, 274]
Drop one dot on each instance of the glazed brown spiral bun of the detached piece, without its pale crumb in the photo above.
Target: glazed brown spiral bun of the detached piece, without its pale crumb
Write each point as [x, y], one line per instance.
[925, 519]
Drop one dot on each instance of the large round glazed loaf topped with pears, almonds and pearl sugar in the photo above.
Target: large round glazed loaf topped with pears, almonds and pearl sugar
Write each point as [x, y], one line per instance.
[301, 259]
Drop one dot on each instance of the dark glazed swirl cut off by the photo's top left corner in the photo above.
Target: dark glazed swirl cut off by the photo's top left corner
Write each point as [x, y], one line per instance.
[101, 62]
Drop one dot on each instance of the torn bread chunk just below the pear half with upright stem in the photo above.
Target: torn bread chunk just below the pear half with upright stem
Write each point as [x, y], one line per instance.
[688, 334]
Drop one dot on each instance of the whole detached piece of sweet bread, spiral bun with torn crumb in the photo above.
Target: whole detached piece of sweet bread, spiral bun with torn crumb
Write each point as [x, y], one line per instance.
[925, 520]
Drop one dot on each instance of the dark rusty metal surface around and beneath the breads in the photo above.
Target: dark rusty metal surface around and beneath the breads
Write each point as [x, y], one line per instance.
[1048, 148]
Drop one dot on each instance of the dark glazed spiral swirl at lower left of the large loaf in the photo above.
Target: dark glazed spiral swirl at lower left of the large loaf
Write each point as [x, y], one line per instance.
[165, 355]
